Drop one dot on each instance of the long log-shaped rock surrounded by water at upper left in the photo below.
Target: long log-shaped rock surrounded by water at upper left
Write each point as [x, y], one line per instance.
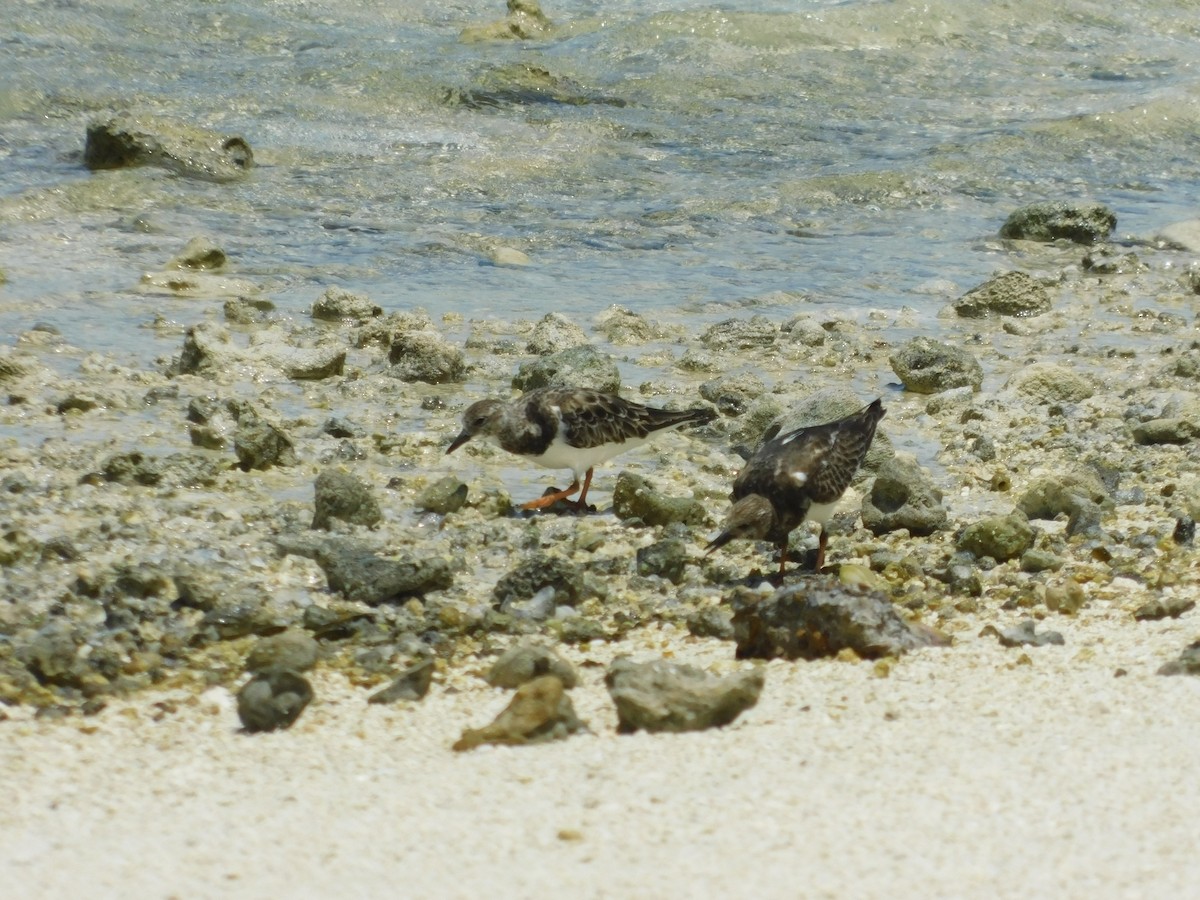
[128, 141]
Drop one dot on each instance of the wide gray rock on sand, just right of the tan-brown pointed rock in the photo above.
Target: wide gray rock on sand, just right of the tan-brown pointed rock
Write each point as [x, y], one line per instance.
[664, 697]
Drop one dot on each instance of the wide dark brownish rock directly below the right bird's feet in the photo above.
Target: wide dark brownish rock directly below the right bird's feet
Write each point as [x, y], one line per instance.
[821, 619]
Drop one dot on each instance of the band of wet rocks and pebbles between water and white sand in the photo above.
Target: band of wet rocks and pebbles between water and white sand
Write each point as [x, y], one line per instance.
[281, 483]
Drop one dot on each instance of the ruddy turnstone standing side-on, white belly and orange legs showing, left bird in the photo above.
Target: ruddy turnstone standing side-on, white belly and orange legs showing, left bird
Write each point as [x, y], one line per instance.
[569, 429]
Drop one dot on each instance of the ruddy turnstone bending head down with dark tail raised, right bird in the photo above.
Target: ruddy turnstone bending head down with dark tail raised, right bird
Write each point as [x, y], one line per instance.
[796, 477]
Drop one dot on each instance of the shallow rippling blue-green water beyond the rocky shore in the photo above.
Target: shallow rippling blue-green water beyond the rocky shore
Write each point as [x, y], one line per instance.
[863, 154]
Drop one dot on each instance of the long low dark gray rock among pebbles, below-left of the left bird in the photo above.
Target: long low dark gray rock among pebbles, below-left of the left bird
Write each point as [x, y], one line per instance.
[363, 577]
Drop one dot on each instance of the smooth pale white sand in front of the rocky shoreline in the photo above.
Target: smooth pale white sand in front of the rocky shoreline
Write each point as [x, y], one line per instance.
[964, 773]
